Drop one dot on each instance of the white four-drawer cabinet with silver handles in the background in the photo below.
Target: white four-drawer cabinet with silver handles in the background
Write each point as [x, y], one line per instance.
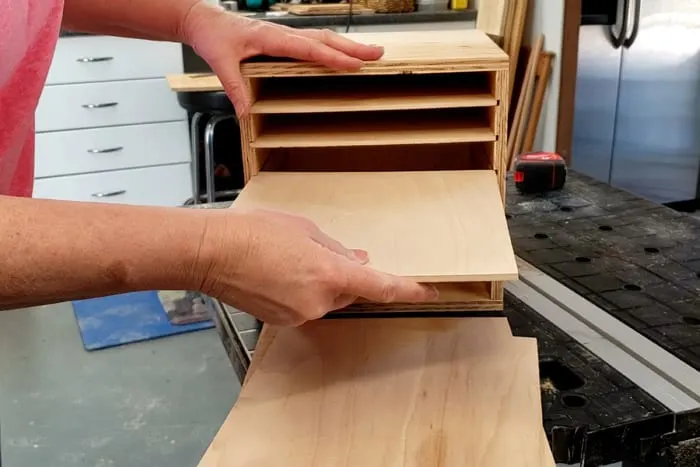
[109, 129]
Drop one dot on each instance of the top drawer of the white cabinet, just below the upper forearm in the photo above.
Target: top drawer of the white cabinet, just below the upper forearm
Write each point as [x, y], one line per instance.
[104, 58]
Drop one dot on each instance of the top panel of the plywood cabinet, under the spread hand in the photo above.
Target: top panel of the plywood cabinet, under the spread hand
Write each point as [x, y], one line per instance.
[410, 51]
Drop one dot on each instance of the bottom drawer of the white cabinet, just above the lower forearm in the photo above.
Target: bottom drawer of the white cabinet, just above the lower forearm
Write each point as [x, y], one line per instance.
[168, 185]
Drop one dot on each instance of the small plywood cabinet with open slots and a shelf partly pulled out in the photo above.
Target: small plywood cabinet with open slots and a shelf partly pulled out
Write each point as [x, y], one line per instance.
[403, 159]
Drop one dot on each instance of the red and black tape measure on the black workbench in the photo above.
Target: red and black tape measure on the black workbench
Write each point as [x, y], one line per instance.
[539, 172]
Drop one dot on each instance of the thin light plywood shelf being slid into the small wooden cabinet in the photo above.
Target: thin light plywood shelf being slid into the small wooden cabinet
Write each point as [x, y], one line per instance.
[433, 226]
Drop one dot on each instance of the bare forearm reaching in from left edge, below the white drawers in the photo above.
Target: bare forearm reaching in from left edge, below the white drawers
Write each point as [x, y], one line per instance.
[53, 251]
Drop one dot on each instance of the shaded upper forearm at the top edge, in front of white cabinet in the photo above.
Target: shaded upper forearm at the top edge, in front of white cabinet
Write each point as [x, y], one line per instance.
[145, 19]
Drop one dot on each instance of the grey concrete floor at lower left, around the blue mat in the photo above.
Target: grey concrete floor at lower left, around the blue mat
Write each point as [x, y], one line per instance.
[155, 404]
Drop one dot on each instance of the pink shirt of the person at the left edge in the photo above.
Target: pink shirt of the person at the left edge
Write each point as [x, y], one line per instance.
[29, 31]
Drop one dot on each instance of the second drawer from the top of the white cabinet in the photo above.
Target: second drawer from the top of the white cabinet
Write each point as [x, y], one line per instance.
[90, 105]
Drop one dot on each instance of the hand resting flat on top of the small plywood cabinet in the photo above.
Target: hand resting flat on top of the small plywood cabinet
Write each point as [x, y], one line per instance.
[225, 39]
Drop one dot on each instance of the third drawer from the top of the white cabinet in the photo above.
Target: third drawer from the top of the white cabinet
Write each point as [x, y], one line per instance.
[100, 149]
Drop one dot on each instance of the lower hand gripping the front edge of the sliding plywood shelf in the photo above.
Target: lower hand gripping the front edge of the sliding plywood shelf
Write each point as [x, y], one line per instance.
[283, 270]
